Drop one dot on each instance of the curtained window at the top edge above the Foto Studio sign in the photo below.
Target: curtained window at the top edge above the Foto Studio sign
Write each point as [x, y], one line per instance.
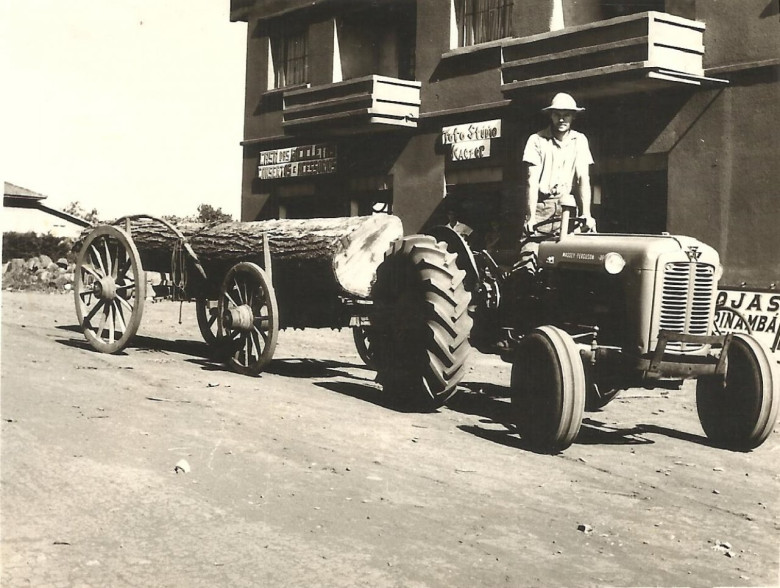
[480, 21]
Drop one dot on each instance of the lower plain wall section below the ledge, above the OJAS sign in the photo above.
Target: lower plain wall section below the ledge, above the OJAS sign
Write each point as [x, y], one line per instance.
[724, 178]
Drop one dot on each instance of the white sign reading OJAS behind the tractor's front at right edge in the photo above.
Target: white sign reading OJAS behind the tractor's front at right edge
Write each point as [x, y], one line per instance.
[742, 311]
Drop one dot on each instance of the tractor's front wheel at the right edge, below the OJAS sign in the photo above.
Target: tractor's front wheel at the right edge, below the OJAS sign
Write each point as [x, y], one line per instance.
[739, 411]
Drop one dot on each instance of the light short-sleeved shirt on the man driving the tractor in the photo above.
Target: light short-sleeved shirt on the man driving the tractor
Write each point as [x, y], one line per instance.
[560, 161]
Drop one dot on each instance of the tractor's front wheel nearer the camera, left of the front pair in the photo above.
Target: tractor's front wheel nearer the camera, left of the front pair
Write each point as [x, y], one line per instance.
[548, 389]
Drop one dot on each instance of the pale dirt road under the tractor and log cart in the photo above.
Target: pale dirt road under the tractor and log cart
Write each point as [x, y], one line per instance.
[307, 475]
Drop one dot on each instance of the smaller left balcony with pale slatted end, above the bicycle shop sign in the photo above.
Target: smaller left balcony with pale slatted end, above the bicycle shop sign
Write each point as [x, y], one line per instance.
[364, 104]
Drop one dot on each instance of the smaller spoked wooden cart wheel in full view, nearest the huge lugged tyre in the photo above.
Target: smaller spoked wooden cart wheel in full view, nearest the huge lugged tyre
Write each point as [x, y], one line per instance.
[249, 318]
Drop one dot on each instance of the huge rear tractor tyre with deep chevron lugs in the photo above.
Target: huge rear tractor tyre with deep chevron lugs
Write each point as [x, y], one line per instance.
[420, 322]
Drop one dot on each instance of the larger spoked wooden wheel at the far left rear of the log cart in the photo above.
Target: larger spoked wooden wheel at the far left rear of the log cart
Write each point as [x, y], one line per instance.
[109, 289]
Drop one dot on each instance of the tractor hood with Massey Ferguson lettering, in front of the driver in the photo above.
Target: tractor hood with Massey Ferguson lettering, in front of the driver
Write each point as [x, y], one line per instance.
[640, 252]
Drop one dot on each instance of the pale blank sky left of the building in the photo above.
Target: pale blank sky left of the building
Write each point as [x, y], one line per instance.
[126, 106]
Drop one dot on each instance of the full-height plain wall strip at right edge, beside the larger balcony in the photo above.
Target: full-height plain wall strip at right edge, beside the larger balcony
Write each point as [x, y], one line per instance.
[723, 176]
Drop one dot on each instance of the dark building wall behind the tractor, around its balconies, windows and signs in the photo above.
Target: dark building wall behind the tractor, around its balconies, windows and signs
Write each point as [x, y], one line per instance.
[689, 160]
